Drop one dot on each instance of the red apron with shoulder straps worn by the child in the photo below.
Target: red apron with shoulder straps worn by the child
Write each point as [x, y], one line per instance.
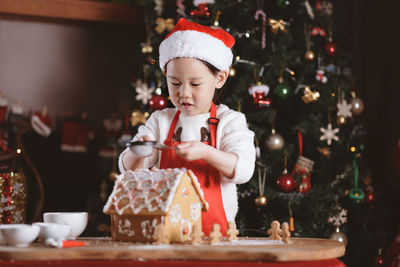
[208, 177]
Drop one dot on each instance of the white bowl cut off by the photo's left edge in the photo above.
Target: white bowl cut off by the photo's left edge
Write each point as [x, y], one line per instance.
[19, 235]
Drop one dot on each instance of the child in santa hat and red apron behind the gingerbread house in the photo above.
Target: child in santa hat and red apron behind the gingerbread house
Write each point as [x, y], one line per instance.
[212, 141]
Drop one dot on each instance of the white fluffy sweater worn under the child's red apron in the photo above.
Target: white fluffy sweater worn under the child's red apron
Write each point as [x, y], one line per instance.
[233, 136]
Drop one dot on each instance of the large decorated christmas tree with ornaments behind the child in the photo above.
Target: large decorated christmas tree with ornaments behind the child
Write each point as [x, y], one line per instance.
[294, 84]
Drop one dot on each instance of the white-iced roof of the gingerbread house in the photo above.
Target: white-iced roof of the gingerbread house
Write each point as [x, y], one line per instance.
[148, 192]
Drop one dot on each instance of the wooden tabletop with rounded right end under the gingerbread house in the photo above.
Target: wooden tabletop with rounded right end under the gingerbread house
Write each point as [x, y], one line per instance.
[245, 249]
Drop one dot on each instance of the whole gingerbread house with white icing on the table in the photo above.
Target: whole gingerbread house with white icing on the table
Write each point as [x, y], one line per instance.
[143, 199]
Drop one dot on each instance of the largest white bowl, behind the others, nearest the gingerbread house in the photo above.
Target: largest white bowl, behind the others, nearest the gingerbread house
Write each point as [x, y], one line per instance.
[77, 221]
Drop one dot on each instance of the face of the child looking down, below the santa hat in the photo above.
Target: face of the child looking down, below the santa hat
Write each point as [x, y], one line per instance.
[191, 85]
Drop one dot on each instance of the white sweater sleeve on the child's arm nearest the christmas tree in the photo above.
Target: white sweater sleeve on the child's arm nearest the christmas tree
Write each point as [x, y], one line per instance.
[236, 138]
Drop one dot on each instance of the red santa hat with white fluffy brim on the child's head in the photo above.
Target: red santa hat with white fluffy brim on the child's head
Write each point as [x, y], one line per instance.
[189, 39]
